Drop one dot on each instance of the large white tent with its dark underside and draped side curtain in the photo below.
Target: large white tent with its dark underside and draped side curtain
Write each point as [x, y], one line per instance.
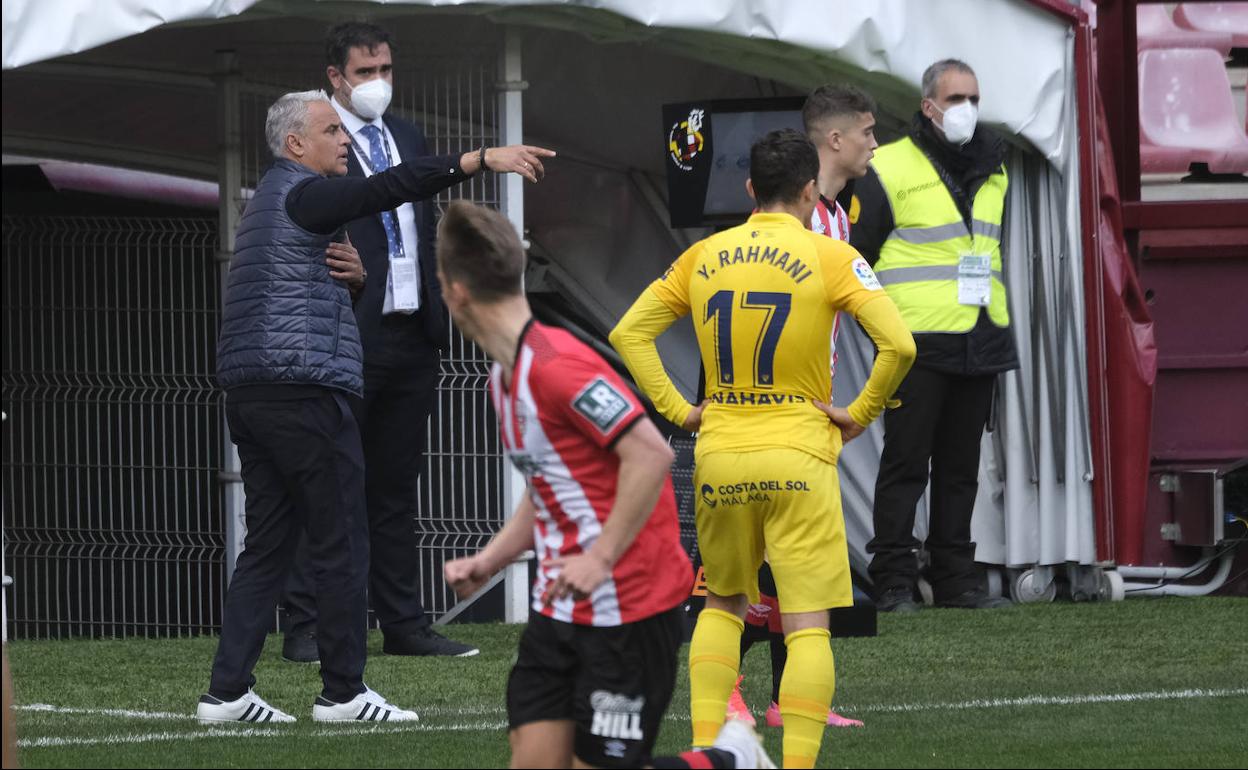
[600, 102]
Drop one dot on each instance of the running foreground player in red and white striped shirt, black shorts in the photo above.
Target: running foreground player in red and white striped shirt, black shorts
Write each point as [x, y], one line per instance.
[597, 663]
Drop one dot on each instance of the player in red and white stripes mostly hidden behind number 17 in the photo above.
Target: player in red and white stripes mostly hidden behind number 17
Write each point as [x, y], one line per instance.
[841, 123]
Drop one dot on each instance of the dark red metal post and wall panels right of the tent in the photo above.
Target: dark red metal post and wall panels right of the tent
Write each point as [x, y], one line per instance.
[1166, 285]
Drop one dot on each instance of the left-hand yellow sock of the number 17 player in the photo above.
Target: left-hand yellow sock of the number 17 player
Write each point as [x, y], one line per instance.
[714, 658]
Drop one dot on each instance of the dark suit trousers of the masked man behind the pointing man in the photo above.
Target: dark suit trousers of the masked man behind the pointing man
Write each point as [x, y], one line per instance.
[394, 416]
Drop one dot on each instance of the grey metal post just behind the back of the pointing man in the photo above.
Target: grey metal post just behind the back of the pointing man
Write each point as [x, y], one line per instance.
[230, 184]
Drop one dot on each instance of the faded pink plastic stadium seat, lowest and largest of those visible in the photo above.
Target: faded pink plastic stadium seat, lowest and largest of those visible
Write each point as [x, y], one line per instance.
[1187, 114]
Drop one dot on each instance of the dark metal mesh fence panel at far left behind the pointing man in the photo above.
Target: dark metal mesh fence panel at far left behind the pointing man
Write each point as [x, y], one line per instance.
[113, 507]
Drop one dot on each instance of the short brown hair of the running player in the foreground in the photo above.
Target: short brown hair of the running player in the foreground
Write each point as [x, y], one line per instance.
[479, 248]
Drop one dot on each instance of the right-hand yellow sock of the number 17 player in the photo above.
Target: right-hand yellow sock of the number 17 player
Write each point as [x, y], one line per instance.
[806, 694]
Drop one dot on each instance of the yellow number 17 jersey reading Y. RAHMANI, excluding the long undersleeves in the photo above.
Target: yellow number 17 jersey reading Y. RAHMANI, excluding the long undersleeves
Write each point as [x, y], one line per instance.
[764, 298]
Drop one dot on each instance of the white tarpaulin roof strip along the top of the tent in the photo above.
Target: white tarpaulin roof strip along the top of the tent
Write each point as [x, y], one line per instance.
[898, 38]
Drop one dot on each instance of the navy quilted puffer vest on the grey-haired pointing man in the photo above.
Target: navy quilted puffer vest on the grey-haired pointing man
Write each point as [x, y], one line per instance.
[286, 321]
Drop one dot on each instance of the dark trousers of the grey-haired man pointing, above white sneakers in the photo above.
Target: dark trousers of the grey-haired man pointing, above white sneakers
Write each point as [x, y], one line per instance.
[303, 470]
